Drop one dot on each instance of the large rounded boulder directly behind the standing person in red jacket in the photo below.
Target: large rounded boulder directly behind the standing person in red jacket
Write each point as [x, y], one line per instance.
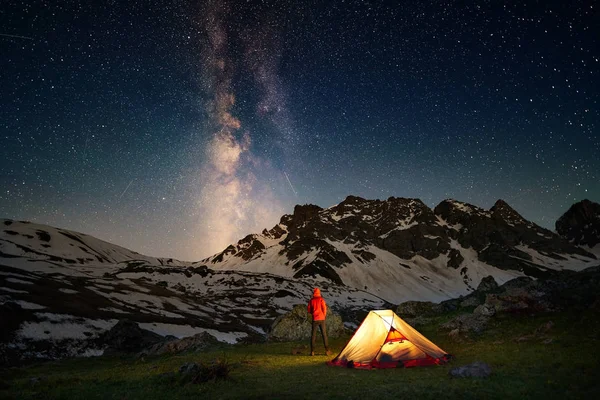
[296, 325]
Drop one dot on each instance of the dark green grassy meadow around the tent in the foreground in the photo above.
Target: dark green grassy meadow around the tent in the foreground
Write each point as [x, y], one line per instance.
[568, 367]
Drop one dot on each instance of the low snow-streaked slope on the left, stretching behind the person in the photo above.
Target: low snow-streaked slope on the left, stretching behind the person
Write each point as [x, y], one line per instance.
[61, 290]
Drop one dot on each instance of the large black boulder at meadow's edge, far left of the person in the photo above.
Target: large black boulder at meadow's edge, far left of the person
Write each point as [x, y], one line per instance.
[127, 337]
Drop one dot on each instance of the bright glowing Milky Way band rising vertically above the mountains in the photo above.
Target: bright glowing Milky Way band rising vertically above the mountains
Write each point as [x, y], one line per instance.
[233, 202]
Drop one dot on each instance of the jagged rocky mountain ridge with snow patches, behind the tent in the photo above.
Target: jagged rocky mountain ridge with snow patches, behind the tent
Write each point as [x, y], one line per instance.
[400, 249]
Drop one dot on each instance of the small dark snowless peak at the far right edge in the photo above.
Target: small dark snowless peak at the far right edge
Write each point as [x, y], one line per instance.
[581, 224]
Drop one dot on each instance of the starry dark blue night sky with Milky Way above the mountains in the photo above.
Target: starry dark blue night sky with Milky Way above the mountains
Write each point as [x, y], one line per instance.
[174, 128]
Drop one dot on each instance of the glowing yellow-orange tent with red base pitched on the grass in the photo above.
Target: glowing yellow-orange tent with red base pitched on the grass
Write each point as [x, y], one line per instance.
[384, 340]
